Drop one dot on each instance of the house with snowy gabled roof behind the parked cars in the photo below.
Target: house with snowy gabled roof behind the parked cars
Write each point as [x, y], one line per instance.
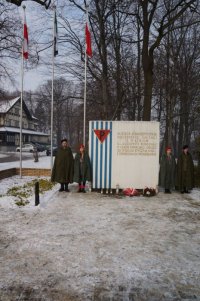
[10, 126]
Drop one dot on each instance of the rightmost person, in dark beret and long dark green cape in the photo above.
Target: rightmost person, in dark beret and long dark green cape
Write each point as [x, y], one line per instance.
[185, 171]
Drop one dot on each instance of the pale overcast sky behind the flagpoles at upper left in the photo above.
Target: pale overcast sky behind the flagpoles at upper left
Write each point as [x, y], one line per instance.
[38, 19]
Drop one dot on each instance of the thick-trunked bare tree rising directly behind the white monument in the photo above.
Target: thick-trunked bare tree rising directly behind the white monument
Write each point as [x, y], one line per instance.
[156, 19]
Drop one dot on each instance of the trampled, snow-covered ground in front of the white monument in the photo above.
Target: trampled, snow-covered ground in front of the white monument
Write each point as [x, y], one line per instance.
[96, 247]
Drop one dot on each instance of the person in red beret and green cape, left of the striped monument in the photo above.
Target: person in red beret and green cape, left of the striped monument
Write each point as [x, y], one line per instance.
[82, 168]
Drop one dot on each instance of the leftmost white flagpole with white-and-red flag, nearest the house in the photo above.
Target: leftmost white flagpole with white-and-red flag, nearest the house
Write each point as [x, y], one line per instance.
[21, 100]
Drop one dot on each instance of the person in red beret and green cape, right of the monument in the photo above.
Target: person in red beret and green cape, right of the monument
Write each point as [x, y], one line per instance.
[167, 171]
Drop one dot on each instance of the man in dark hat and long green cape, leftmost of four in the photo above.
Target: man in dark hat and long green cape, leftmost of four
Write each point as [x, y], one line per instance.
[63, 166]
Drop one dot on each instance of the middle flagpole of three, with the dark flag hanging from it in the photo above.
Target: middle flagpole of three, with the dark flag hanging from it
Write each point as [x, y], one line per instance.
[52, 87]
